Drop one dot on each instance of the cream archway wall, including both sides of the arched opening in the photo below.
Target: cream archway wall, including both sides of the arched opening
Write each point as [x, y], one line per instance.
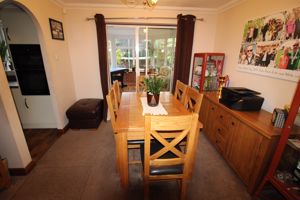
[60, 80]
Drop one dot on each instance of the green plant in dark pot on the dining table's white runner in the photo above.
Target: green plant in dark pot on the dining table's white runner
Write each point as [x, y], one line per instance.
[153, 86]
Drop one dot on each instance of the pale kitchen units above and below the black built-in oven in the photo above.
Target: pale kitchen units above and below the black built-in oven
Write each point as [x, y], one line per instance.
[21, 30]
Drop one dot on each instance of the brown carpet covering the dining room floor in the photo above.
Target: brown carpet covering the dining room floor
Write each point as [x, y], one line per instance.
[81, 165]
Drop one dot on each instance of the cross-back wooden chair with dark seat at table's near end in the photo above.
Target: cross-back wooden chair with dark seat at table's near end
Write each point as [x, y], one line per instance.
[163, 159]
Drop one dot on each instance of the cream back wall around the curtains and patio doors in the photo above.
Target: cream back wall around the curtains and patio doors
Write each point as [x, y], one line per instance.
[83, 40]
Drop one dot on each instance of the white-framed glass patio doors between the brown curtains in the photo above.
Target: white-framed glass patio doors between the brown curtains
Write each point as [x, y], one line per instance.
[143, 49]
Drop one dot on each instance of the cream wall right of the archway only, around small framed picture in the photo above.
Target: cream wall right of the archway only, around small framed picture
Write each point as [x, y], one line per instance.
[55, 55]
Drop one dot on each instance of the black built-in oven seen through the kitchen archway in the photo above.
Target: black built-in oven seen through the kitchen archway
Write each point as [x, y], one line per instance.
[29, 66]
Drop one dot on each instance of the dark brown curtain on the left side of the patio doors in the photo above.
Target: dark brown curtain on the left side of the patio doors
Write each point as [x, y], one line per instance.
[102, 52]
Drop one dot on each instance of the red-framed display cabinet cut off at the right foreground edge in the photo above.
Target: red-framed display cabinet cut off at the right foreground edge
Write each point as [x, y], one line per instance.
[282, 180]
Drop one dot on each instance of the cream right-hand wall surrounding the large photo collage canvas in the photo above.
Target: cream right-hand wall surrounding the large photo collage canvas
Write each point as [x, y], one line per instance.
[230, 28]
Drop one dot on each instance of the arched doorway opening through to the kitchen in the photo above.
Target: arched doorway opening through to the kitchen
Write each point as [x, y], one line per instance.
[20, 38]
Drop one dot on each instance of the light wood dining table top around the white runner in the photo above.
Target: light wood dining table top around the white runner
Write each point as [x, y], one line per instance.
[130, 114]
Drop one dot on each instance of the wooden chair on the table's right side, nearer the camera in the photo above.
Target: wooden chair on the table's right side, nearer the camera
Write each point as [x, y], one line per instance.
[193, 99]
